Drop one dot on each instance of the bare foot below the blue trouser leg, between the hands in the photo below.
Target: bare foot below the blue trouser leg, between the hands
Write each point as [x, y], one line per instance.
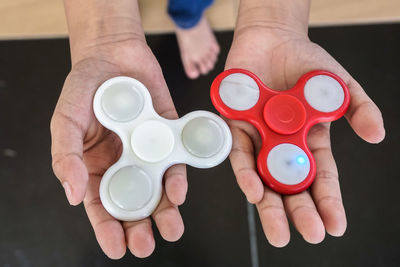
[199, 48]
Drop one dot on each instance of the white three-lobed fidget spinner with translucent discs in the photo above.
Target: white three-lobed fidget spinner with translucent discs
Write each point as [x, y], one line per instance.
[131, 188]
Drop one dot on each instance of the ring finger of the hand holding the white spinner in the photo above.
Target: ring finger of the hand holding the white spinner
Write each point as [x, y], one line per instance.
[168, 220]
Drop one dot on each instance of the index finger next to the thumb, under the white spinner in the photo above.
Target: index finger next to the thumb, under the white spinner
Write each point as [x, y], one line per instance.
[109, 232]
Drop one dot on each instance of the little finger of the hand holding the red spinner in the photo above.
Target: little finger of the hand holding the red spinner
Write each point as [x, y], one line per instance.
[243, 165]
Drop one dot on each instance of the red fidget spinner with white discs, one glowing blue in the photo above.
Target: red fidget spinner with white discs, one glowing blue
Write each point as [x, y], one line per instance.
[283, 119]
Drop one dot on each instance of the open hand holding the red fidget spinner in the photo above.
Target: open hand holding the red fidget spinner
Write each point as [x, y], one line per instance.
[279, 55]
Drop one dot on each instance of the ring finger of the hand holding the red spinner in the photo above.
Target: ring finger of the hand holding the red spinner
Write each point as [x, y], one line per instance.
[273, 218]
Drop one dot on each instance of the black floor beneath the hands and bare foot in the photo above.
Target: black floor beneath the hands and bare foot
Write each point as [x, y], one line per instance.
[39, 228]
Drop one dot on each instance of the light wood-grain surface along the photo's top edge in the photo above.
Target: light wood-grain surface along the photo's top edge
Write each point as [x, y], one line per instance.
[45, 18]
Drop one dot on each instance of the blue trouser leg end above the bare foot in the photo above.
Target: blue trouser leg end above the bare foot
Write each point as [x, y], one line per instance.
[187, 13]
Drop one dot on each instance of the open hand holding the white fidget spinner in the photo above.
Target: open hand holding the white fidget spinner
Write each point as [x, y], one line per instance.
[82, 149]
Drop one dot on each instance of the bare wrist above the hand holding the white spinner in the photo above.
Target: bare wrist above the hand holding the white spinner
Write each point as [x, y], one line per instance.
[96, 27]
